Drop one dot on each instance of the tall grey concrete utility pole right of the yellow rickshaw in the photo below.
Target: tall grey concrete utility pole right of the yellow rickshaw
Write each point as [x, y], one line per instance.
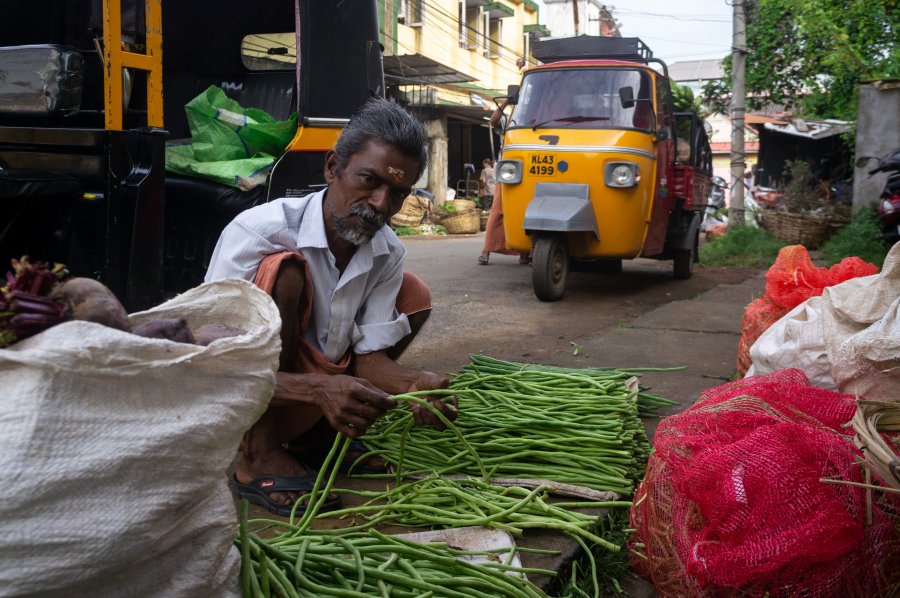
[738, 56]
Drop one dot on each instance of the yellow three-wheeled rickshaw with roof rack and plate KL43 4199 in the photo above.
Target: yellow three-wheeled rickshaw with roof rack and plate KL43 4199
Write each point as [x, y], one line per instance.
[596, 165]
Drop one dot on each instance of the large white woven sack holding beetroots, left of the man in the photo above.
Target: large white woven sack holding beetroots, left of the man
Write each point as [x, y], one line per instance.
[113, 450]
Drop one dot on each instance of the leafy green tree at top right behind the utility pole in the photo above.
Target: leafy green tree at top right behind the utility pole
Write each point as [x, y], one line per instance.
[812, 54]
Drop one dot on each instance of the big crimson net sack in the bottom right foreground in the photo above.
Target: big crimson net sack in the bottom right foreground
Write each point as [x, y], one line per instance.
[732, 502]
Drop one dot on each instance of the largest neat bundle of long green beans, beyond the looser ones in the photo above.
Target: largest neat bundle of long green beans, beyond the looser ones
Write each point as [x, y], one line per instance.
[568, 426]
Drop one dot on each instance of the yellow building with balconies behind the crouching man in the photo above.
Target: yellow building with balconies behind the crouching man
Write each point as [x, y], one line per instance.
[446, 60]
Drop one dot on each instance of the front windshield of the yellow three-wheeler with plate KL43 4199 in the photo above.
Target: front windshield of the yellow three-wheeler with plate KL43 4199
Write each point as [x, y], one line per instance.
[584, 98]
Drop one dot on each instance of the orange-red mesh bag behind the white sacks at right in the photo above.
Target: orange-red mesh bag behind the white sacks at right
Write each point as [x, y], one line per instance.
[790, 281]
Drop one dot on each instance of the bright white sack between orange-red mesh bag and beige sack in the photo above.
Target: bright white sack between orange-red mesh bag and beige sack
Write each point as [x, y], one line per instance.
[797, 340]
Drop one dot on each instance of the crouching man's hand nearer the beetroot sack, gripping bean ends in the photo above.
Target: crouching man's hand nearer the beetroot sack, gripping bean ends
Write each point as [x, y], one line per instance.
[351, 405]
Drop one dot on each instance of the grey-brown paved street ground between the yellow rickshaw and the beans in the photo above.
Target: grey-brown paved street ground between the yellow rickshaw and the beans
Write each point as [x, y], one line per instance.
[641, 317]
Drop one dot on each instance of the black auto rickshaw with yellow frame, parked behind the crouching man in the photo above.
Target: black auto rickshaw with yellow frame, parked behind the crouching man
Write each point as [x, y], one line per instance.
[92, 91]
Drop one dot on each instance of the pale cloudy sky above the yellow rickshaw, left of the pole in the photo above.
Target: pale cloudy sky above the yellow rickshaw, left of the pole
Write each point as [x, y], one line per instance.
[677, 30]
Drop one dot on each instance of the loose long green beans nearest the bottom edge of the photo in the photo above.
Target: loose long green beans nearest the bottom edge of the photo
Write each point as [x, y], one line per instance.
[299, 562]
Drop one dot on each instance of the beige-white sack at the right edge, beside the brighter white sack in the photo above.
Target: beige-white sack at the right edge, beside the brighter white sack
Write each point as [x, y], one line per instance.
[861, 319]
